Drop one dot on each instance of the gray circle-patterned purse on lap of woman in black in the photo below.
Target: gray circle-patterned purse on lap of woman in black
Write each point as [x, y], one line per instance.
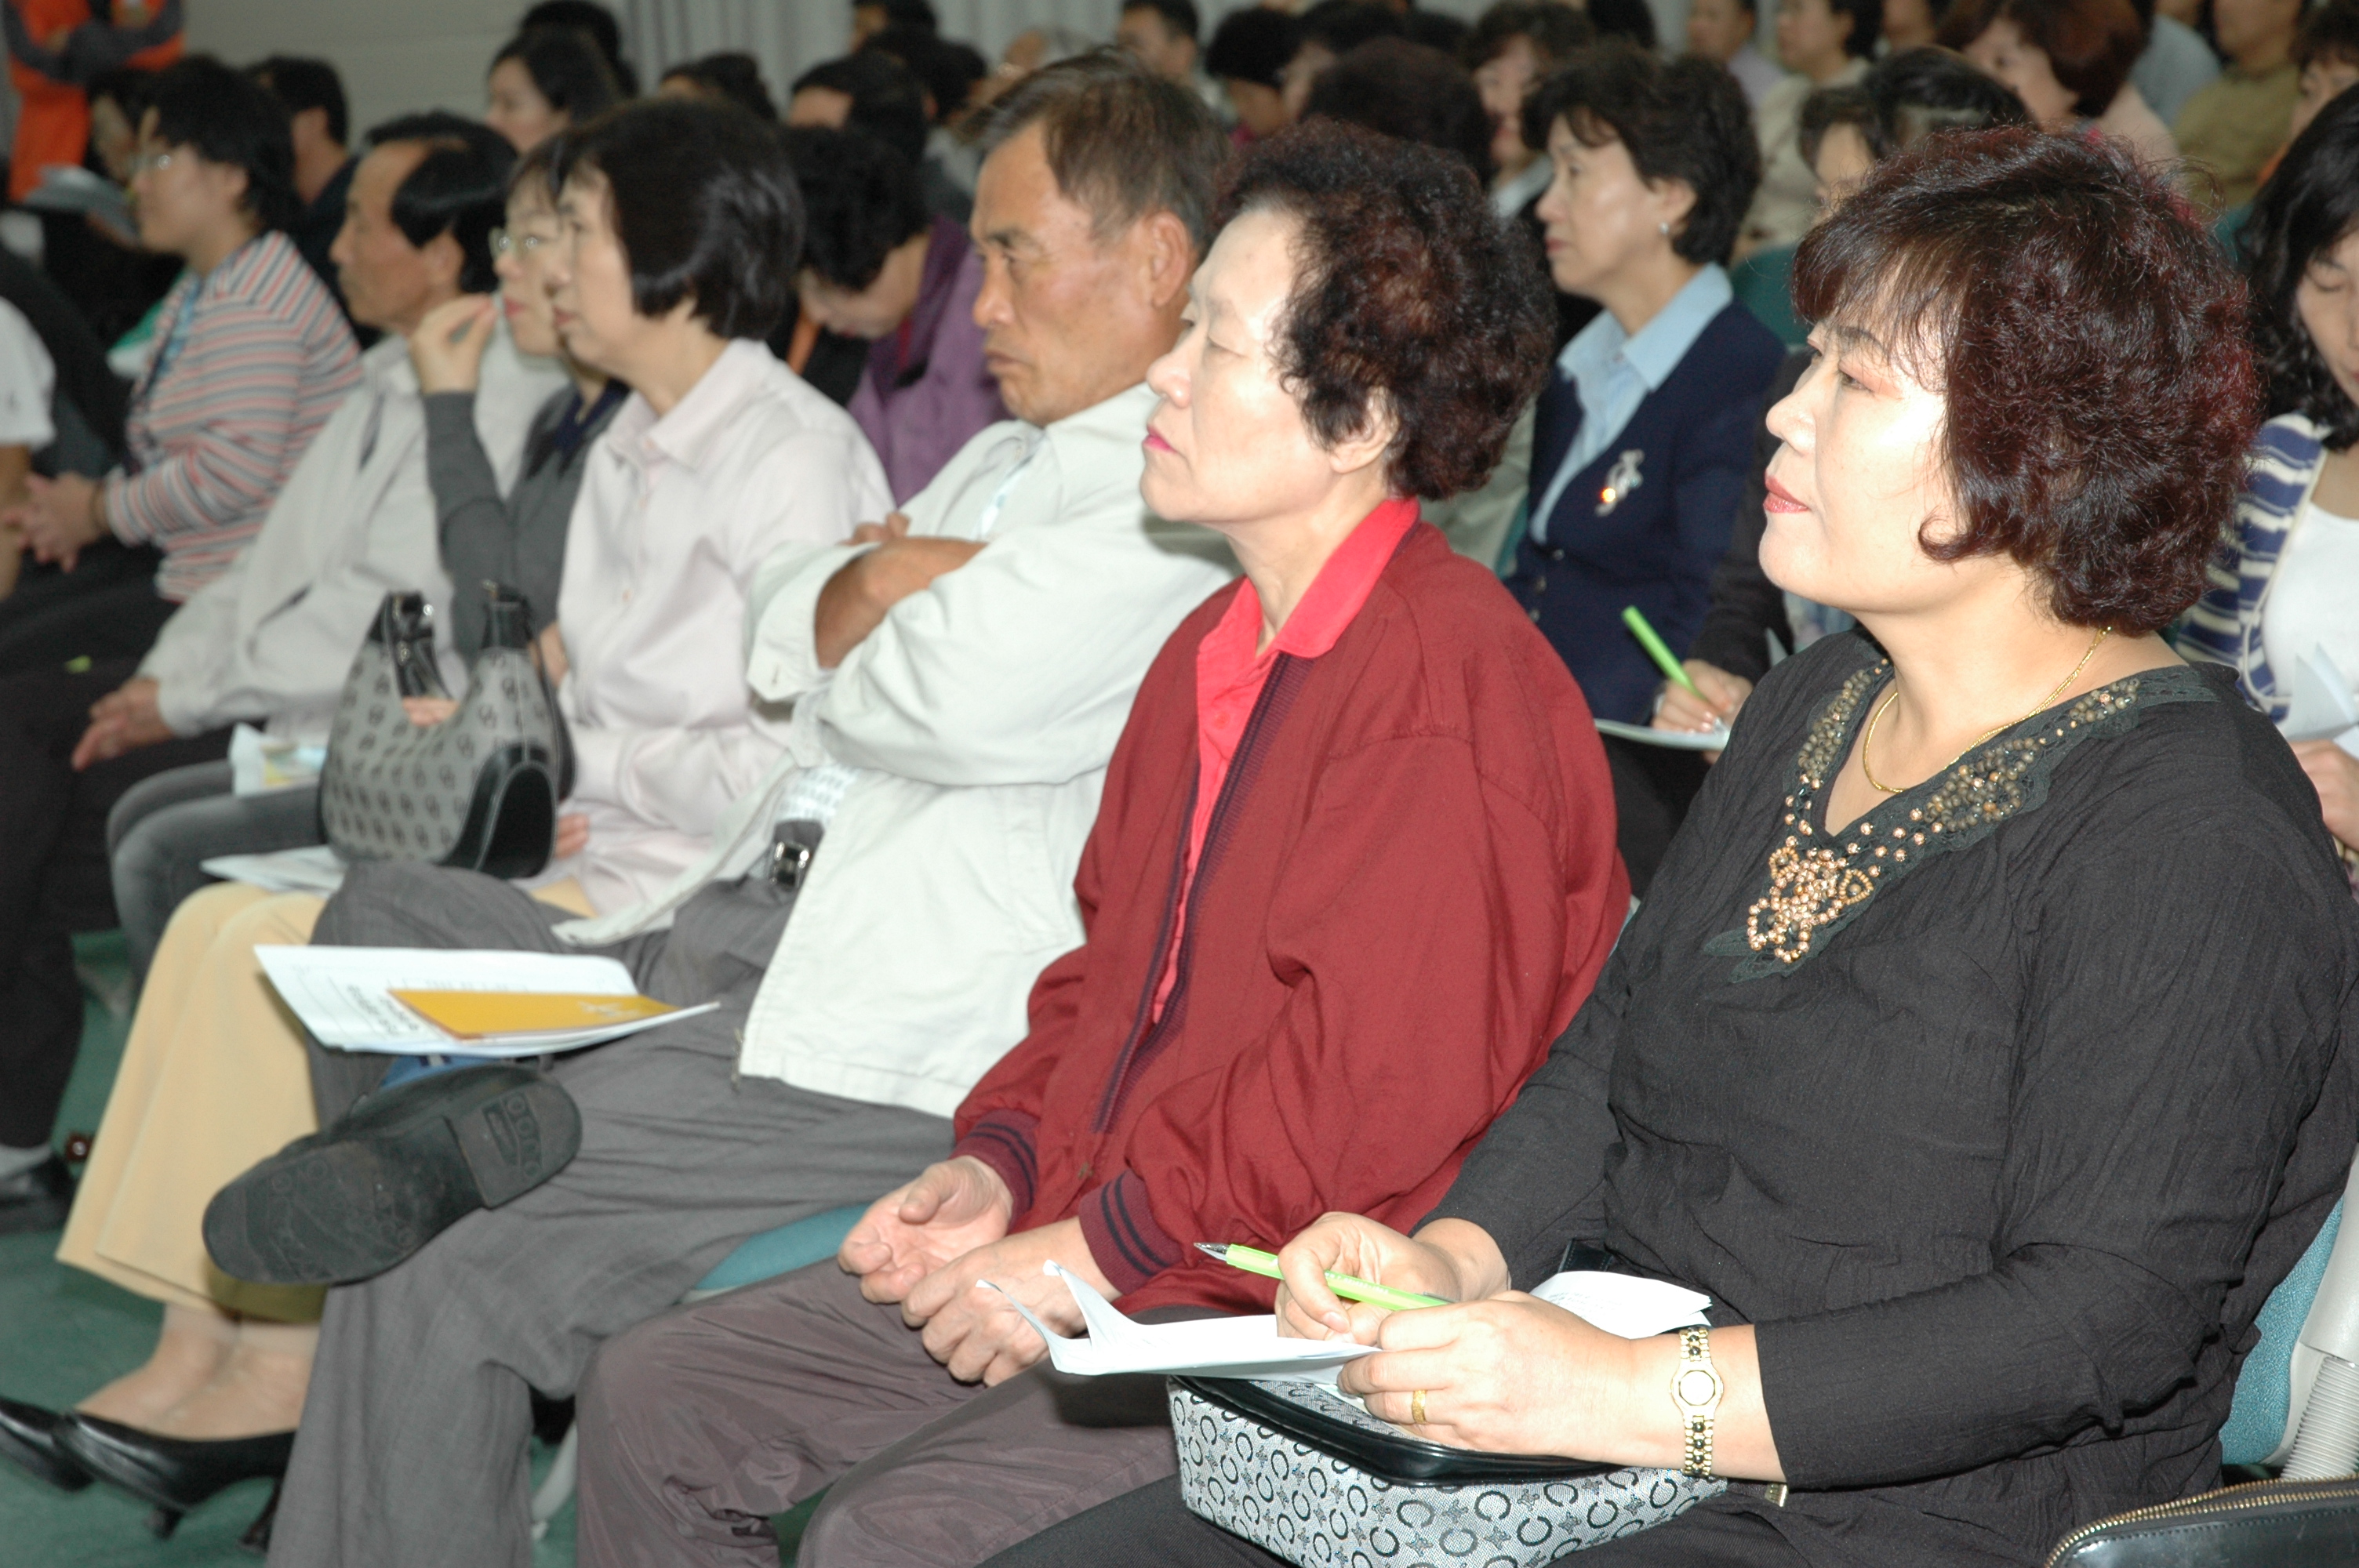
[1320, 1482]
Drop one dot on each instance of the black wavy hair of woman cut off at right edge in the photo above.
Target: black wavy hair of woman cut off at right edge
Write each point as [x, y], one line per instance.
[2306, 211]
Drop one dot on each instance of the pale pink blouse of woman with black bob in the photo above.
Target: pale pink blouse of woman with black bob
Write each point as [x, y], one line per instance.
[669, 529]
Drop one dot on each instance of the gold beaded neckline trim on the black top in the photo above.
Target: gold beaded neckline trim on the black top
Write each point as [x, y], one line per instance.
[1818, 881]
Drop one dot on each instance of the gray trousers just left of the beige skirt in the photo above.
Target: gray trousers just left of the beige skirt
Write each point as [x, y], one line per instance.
[166, 829]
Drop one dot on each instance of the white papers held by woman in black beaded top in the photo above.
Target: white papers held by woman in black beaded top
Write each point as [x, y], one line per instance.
[1251, 1348]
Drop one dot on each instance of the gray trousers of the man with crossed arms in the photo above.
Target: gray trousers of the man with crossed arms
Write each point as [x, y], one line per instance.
[414, 1437]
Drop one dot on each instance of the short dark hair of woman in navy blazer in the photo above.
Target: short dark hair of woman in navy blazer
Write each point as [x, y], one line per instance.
[1681, 119]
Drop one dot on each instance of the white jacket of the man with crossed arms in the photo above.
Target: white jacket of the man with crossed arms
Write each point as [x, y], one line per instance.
[980, 716]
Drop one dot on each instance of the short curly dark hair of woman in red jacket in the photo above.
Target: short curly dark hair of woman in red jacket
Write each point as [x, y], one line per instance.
[1410, 298]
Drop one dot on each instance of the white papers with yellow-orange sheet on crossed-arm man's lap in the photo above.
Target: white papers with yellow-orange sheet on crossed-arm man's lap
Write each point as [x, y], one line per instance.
[459, 1003]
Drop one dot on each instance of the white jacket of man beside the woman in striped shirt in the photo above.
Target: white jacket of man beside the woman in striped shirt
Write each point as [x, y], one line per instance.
[272, 638]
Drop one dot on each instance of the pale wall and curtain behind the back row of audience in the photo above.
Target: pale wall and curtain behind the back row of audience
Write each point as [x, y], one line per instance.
[409, 55]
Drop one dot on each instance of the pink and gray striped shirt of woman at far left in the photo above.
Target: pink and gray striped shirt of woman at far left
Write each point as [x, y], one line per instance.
[251, 362]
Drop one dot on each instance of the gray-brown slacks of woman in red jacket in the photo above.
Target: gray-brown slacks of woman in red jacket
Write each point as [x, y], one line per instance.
[704, 1423]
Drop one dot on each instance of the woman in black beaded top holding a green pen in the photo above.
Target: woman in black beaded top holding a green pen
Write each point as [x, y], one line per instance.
[1983, 1043]
